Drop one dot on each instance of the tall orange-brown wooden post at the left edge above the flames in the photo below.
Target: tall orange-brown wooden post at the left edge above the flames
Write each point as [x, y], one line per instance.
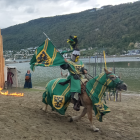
[2, 63]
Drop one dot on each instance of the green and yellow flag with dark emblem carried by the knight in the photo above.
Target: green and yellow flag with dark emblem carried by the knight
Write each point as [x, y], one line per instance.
[46, 55]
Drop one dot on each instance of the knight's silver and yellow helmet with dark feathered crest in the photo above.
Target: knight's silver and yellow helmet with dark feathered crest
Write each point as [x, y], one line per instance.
[73, 41]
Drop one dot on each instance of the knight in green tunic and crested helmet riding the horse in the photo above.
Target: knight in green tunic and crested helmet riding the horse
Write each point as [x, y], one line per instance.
[76, 69]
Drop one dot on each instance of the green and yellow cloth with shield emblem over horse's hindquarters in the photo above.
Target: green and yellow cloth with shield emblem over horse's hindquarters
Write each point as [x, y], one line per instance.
[57, 96]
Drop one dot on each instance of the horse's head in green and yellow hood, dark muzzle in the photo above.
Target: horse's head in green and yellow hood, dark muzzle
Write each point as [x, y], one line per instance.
[114, 81]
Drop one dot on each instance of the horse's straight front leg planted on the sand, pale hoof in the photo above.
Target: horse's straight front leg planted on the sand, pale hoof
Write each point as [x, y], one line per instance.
[89, 113]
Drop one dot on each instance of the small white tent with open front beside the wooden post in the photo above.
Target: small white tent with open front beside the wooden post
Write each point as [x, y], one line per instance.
[14, 78]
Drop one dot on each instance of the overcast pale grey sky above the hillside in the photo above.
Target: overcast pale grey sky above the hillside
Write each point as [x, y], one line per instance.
[14, 12]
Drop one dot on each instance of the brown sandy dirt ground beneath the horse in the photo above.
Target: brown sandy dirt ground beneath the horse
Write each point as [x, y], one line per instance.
[21, 118]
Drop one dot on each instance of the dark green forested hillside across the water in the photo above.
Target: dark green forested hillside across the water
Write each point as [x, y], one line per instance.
[115, 28]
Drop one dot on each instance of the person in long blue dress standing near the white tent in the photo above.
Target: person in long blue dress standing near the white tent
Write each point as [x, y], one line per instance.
[28, 82]
